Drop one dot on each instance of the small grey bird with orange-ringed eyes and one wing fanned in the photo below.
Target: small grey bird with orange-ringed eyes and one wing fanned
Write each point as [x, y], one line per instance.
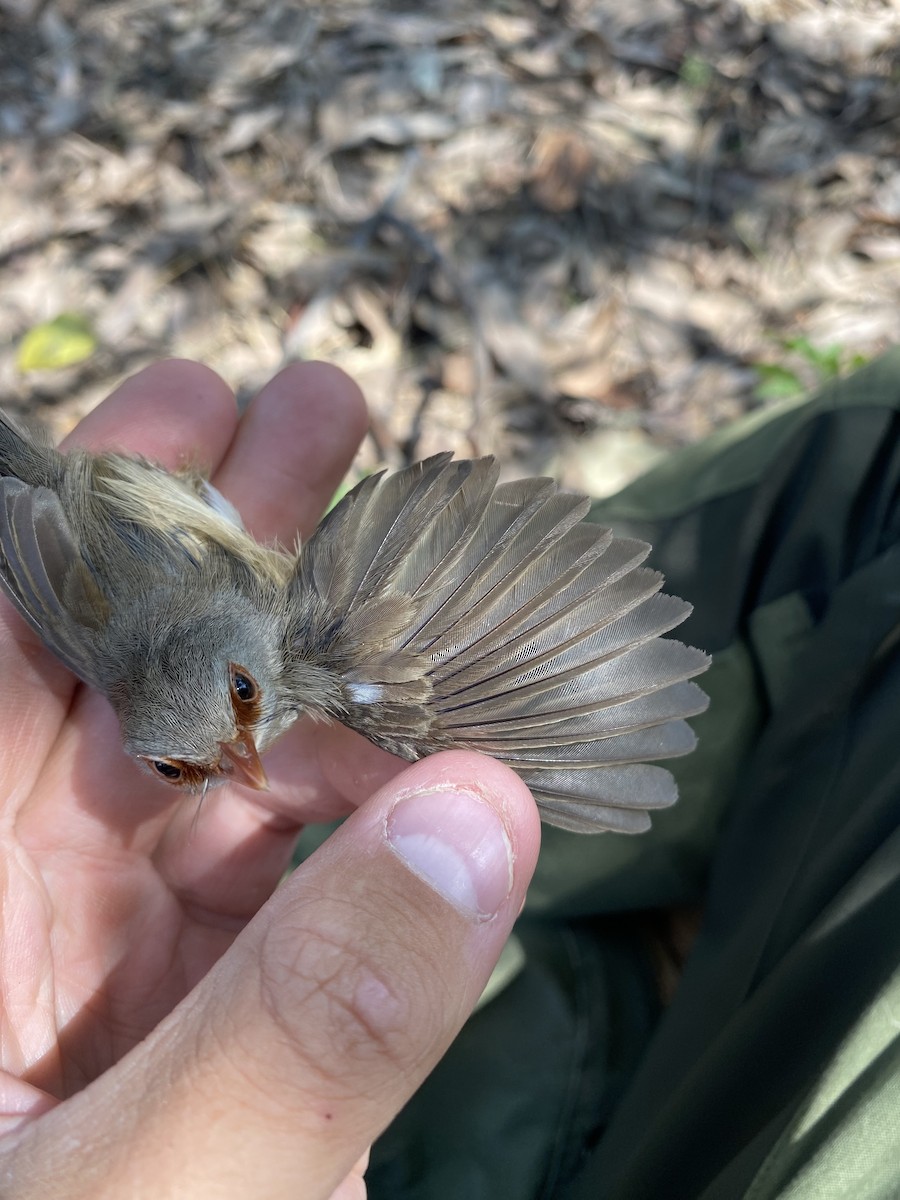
[433, 609]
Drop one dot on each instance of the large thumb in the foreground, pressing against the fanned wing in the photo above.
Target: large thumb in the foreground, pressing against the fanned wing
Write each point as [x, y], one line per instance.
[333, 1005]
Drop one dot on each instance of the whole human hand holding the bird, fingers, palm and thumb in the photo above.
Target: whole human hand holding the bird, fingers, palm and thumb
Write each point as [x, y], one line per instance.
[152, 1045]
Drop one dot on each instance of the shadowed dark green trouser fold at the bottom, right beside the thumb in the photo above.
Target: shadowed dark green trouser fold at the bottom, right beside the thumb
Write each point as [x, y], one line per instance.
[515, 1100]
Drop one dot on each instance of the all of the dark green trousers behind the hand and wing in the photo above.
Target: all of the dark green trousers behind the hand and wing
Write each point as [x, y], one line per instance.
[775, 1071]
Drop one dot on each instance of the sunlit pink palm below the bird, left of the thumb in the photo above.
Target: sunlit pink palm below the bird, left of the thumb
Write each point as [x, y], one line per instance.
[105, 944]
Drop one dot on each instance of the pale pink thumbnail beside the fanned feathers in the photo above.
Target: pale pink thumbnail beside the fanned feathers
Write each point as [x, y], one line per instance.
[457, 844]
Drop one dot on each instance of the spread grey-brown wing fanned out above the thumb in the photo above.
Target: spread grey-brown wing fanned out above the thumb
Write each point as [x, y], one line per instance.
[460, 614]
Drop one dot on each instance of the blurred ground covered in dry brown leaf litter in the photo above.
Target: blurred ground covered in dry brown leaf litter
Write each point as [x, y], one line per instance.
[574, 235]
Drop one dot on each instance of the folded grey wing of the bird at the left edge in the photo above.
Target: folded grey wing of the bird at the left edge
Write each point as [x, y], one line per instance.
[45, 577]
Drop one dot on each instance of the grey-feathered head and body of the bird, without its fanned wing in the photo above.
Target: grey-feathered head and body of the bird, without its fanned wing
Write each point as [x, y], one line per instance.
[146, 593]
